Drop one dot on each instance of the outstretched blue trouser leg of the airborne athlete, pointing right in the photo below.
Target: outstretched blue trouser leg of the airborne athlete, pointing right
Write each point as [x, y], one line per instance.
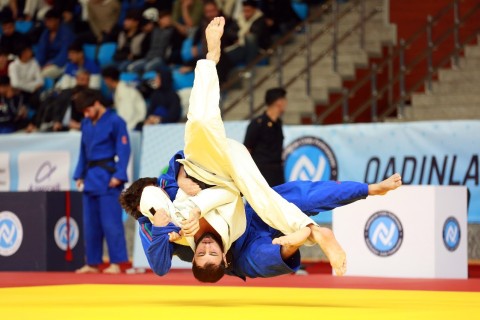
[313, 197]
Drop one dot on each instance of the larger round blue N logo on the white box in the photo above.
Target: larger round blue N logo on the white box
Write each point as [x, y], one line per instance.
[383, 233]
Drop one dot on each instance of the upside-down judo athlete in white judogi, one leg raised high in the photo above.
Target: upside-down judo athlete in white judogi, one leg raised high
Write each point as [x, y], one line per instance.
[227, 166]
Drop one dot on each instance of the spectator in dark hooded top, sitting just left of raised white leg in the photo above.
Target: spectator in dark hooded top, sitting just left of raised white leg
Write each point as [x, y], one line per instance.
[164, 106]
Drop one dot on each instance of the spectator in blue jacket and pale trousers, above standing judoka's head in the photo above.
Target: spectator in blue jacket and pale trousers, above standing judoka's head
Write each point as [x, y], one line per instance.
[76, 62]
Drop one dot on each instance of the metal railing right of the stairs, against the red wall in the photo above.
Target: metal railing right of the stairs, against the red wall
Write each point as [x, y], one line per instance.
[396, 102]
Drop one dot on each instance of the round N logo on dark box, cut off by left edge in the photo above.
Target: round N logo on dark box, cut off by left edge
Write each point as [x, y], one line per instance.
[11, 233]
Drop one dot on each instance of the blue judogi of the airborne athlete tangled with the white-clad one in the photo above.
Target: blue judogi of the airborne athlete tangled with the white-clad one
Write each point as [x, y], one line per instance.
[253, 254]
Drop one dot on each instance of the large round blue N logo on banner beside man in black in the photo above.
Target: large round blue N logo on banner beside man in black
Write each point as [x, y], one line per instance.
[309, 158]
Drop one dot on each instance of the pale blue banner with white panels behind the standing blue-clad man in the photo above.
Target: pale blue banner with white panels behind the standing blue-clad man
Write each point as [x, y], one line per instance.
[46, 161]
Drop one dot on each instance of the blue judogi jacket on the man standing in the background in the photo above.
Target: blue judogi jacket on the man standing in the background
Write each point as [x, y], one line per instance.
[102, 142]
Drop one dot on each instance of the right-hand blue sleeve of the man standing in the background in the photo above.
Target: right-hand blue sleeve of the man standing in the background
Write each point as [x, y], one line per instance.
[122, 146]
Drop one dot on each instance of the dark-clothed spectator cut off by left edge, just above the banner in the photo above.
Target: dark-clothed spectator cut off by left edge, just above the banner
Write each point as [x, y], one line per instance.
[13, 113]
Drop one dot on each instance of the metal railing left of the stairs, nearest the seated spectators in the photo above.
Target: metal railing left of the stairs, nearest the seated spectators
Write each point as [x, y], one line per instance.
[282, 60]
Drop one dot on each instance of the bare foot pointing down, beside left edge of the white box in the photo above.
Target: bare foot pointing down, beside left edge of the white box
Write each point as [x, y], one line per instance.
[332, 249]
